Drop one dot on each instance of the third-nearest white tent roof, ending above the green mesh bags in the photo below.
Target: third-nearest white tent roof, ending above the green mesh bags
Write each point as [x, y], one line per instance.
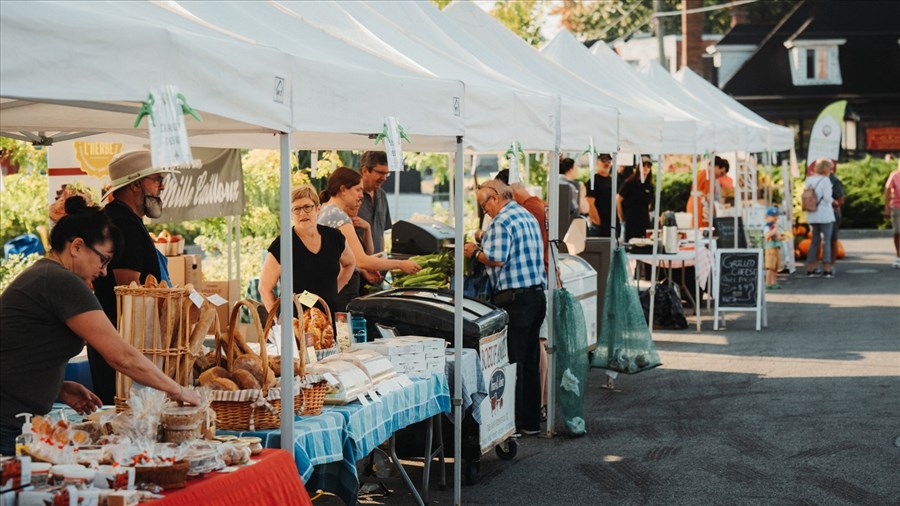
[637, 130]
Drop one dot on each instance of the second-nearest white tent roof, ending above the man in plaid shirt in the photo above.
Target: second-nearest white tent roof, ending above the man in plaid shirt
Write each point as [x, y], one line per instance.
[498, 110]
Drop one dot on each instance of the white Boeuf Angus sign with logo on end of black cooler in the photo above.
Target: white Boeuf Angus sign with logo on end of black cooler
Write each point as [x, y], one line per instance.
[498, 409]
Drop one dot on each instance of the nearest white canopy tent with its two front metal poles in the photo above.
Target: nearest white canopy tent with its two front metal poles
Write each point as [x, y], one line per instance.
[95, 78]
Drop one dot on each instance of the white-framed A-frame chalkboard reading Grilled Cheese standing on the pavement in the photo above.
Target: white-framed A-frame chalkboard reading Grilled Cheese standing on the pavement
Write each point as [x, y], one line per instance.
[737, 282]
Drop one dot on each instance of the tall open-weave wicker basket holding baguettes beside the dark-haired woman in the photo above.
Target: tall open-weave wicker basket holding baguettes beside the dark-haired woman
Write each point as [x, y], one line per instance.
[155, 319]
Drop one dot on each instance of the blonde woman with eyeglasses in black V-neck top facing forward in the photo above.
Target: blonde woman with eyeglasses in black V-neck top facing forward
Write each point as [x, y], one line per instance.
[322, 262]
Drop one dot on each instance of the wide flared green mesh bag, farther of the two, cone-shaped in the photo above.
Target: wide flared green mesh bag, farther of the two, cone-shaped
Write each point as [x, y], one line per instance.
[625, 343]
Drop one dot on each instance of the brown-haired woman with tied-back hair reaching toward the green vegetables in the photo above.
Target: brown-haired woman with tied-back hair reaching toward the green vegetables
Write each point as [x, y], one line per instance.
[343, 192]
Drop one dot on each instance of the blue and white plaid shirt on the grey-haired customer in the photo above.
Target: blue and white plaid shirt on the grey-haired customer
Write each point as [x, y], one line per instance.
[514, 238]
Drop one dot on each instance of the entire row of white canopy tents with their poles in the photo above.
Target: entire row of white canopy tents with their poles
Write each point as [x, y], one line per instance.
[313, 75]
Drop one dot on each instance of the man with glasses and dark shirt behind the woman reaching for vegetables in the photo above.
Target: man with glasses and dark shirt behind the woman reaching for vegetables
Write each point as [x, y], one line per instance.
[374, 208]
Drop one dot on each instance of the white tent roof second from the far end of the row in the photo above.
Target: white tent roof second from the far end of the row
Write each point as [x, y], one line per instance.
[729, 135]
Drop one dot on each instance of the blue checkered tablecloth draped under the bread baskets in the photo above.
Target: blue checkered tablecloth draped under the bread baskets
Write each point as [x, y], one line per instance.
[327, 446]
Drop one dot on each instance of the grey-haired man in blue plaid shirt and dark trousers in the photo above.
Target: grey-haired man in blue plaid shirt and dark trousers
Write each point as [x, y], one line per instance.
[513, 252]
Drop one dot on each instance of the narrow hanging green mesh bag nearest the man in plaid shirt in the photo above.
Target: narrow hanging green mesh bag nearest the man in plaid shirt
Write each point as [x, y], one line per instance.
[571, 360]
